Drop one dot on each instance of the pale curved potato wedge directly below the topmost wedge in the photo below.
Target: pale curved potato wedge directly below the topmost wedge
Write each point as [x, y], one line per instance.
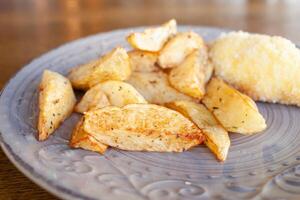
[178, 47]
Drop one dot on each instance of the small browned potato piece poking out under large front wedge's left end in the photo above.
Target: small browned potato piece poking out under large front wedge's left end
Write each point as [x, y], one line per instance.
[81, 139]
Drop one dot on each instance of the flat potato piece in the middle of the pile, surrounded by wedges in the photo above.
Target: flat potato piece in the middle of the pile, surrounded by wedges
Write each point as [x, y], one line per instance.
[155, 87]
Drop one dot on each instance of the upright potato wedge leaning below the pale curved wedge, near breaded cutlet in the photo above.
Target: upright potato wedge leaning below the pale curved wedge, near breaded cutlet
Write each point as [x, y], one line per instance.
[189, 77]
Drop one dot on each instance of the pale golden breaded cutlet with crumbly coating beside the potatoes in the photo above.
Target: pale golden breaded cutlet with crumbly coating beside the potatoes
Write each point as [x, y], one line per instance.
[264, 67]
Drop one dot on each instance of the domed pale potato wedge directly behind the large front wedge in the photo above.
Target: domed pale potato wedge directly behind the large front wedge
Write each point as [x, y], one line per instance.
[116, 93]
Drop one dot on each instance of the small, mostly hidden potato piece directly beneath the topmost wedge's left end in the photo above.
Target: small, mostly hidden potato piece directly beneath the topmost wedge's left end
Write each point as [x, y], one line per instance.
[143, 61]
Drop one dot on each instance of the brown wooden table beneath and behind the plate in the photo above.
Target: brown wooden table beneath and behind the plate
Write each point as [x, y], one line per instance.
[29, 28]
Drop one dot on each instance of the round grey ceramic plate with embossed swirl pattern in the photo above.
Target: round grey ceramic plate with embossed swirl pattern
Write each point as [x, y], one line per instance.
[263, 166]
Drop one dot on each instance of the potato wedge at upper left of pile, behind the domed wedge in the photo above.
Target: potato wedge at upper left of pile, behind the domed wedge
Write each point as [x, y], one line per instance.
[113, 66]
